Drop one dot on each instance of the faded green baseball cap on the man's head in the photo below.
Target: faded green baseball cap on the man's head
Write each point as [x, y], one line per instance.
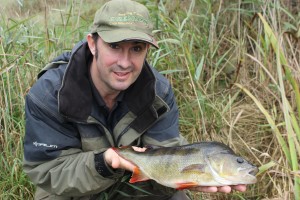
[123, 20]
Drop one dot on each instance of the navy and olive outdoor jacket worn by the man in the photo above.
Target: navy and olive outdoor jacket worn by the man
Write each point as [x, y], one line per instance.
[68, 127]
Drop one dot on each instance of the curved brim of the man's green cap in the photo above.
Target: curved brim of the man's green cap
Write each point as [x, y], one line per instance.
[112, 36]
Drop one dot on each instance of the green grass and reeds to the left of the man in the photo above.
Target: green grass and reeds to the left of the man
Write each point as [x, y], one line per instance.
[27, 43]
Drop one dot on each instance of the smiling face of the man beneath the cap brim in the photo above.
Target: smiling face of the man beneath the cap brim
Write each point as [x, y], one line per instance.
[117, 65]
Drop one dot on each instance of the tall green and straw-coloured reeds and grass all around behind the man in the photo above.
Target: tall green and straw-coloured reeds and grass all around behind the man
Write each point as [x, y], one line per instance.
[234, 66]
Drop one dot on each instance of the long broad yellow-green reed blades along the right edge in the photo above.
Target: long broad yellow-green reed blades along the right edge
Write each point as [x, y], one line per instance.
[285, 85]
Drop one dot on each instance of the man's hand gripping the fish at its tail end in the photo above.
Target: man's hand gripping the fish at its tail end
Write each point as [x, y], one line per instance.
[116, 161]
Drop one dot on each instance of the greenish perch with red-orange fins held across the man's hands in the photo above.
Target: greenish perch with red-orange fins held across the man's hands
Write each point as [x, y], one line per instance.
[197, 164]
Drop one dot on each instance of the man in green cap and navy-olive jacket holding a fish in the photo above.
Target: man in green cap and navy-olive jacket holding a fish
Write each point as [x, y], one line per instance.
[102, 94]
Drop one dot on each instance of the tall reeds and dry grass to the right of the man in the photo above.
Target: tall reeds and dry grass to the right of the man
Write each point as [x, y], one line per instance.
[213, 49]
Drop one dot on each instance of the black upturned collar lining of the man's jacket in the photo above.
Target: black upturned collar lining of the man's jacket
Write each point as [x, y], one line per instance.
[75, 95]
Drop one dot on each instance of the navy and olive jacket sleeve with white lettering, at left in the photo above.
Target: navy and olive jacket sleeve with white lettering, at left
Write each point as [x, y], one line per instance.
[53, 158]
